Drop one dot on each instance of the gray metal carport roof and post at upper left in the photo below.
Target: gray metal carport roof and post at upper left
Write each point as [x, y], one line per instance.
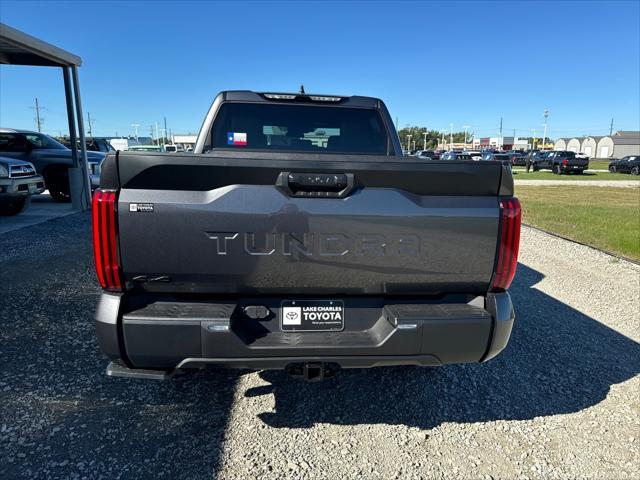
[18, 48]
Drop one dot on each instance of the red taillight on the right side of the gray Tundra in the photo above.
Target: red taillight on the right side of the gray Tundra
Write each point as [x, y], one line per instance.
[510, 214]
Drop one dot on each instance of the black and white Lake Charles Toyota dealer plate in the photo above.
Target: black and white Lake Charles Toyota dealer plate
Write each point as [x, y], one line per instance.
[312, 315]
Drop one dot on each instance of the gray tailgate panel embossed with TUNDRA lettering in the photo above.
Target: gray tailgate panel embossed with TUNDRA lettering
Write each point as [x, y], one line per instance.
[214, 224]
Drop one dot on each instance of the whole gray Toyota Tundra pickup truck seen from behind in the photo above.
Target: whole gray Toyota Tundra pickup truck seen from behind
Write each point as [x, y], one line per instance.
[298, 237]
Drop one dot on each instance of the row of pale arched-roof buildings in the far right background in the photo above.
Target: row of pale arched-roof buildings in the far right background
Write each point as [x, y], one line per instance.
[618, 145]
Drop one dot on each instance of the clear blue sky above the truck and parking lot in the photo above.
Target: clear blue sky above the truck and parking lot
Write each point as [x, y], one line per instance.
[433, 63]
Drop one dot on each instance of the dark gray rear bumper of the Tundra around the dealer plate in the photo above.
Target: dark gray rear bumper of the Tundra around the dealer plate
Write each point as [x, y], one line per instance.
[171, 335]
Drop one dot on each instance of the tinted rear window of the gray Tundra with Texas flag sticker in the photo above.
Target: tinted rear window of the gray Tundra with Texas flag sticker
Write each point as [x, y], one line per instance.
[306, 128]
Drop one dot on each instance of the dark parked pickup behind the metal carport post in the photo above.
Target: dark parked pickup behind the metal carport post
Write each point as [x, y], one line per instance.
[50, 158]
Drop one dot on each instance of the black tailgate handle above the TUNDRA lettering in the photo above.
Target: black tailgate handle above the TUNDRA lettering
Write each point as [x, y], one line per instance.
[308, 184]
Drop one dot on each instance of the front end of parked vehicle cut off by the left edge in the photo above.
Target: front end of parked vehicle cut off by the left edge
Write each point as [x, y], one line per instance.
[18, 181]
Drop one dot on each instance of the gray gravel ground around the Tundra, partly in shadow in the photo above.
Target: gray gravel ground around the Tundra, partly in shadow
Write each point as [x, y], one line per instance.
[562, 401]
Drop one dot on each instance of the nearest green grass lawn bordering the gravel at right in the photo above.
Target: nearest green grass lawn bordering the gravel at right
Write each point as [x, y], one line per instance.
[603, 217]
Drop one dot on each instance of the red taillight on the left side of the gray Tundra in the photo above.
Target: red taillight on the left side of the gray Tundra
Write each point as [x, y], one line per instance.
[105, 251]
